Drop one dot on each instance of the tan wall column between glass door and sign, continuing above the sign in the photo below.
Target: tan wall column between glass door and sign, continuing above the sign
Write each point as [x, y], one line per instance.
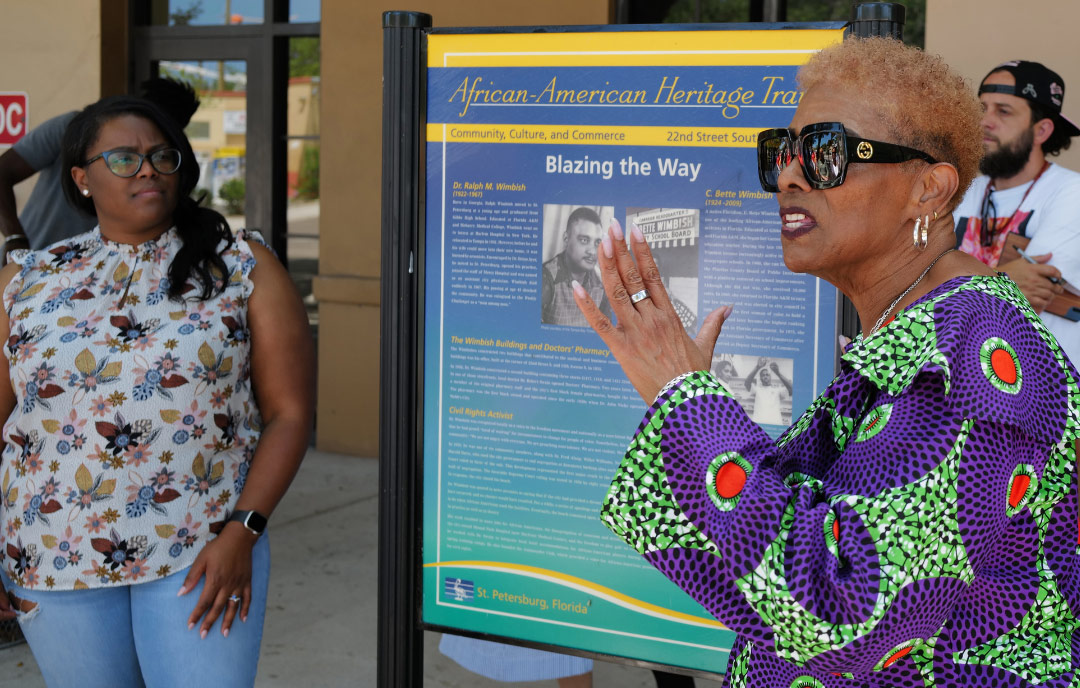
[348, 285]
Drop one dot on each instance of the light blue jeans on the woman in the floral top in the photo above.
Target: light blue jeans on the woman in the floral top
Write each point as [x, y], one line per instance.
[138, 636]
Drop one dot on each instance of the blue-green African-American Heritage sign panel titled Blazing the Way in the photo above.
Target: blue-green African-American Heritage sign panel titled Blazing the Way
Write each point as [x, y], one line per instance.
[536, 143]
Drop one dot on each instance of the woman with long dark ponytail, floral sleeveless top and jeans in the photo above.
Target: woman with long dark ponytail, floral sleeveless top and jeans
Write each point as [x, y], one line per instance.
[160, 402]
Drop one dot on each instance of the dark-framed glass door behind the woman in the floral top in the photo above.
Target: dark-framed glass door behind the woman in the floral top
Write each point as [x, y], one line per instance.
[256, 68]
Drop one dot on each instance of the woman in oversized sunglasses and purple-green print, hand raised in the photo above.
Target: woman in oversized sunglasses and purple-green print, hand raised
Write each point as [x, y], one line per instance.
[917, 527]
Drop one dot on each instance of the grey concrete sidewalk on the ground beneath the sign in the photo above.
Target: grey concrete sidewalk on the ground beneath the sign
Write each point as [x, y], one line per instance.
[321, 622]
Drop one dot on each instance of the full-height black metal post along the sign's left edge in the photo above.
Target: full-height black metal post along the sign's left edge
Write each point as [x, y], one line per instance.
[401, 641]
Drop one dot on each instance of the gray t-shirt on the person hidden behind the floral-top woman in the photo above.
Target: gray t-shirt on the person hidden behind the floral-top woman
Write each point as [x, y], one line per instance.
[48, 218]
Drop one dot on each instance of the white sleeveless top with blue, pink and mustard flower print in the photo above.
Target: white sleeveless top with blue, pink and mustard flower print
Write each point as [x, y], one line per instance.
[134, 424]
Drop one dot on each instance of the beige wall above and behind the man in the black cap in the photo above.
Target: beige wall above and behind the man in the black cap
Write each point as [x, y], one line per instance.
[974, 36]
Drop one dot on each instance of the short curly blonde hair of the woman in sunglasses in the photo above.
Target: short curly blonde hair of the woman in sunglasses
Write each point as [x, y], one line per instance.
[920, 98]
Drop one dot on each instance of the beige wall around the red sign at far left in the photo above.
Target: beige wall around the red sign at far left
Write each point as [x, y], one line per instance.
[58, 64]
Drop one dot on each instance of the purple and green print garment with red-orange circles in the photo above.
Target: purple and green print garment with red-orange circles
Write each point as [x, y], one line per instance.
[916, 528]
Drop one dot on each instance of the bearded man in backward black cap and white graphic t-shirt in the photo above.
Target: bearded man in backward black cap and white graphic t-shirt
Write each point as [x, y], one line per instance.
[1023, 198]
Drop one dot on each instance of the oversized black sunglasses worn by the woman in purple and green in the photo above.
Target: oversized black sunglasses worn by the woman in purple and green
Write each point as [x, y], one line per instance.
[825, 151]
